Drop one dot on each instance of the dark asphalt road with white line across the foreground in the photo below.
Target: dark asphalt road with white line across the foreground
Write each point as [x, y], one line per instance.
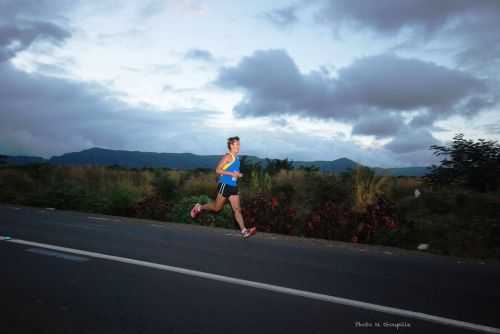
[47, 291]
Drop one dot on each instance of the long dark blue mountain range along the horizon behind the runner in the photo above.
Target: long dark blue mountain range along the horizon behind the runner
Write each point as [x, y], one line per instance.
[138, 159]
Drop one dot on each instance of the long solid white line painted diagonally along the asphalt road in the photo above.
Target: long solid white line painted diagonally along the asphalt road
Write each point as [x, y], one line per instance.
[270, 287]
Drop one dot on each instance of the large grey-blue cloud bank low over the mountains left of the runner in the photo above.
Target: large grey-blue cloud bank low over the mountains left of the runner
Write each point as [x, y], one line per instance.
[43, 115]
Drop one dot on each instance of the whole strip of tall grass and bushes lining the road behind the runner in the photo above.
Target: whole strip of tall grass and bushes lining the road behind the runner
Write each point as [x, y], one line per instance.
[357, 206]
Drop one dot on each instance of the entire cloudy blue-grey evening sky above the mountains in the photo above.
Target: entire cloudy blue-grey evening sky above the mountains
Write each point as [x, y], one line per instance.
[378, 82]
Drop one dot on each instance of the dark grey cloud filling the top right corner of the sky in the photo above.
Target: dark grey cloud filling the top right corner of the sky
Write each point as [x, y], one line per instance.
[472, 26]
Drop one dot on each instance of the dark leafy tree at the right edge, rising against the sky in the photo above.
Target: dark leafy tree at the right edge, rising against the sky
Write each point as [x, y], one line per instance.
[471, 164]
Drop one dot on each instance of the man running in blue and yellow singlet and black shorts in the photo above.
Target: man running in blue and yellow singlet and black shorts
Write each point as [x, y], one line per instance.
[228, 170]
